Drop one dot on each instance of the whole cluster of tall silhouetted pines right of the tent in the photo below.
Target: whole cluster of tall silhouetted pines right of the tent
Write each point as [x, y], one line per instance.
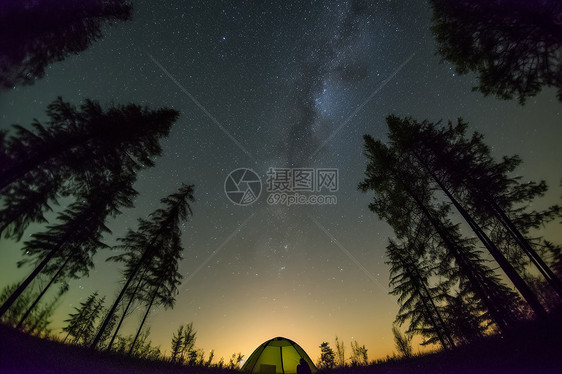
[465, 261]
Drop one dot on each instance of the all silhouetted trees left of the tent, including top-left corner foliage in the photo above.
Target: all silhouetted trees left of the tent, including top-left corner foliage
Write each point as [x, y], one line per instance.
[80, 166]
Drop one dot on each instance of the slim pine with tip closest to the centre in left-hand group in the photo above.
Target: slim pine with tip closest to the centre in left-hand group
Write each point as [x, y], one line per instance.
[153, 240]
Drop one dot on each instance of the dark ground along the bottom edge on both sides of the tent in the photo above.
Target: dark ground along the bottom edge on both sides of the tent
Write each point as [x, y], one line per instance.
[529, 349]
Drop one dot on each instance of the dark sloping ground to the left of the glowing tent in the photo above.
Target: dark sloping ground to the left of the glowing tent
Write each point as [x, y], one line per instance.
[23, 353]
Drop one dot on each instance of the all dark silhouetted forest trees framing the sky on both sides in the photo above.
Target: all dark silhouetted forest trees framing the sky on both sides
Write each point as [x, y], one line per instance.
[466, 260]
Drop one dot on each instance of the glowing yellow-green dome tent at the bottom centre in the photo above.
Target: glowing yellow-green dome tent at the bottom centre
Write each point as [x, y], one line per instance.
[277, 356]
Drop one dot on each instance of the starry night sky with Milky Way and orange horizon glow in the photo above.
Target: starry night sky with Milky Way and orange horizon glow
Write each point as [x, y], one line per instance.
[277, 84]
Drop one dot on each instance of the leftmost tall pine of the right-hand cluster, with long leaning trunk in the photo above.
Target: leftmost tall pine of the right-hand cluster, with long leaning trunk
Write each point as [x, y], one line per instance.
[403, 196]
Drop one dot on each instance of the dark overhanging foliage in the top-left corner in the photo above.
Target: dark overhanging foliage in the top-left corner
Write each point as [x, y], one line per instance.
[43, 31]
